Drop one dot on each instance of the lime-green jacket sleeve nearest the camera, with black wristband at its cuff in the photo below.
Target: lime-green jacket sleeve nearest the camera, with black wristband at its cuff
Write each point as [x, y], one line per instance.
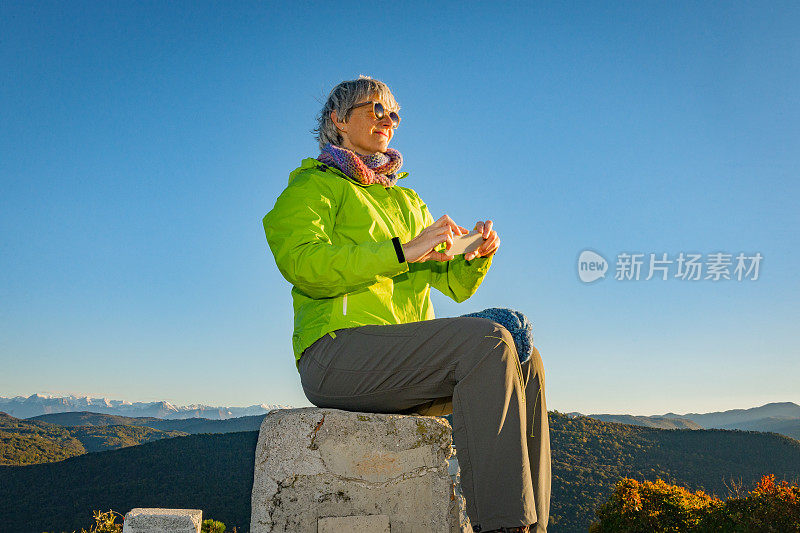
[299, 230]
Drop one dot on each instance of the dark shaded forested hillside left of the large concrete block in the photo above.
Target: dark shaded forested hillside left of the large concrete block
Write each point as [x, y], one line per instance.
[209, 472]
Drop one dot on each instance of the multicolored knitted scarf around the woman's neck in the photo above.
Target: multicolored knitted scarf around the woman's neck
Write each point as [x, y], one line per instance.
[365, 169]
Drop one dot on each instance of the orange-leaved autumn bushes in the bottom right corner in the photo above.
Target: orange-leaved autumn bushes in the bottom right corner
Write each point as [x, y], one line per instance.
[659, 507]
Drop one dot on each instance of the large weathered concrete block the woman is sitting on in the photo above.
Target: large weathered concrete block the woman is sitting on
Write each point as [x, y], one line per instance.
[314, 463]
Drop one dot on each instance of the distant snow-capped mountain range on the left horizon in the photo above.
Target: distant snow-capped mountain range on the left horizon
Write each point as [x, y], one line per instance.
[39, 404]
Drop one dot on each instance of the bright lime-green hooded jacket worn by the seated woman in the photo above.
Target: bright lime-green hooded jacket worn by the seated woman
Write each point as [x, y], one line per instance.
[332, 240]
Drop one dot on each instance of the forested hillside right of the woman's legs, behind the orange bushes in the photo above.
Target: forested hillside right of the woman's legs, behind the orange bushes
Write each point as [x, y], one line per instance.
[589, 456]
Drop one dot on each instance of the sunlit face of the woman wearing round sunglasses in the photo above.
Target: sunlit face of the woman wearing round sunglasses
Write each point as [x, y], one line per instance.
[363, 133]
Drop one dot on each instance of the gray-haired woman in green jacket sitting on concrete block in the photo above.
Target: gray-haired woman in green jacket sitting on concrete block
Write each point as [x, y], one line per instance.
[361, 253]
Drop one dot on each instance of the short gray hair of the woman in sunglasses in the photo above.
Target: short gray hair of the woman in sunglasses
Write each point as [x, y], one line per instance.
[342, 99]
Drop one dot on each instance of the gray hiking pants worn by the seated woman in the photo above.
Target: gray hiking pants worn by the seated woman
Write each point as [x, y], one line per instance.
[468, 366]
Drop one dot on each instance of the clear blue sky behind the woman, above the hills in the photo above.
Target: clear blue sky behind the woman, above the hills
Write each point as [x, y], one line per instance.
[142, 143]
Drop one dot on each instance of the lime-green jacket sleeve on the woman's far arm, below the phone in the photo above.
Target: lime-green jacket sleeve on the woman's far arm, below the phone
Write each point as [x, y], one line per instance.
[457, 278]
